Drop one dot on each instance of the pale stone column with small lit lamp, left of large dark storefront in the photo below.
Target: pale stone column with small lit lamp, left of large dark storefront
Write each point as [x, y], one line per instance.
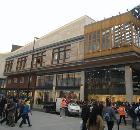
[82, 85]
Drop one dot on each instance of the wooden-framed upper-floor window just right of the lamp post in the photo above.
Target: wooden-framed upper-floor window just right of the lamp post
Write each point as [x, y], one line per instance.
[39, 59]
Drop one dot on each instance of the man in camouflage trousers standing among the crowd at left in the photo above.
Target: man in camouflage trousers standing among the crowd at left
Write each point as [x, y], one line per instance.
[12, 112]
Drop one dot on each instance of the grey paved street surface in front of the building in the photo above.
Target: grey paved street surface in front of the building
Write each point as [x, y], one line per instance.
[49, 121]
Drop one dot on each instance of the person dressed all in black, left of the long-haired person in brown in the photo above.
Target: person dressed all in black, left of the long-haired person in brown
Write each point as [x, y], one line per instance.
[85, 114]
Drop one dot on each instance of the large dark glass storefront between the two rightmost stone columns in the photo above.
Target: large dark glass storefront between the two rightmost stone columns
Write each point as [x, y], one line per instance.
[104, 83]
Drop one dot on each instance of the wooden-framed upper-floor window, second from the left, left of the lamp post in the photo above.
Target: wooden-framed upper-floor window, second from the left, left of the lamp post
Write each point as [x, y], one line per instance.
[21, 63]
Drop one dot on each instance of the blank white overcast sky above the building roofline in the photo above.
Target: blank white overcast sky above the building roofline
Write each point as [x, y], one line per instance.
[22, 20]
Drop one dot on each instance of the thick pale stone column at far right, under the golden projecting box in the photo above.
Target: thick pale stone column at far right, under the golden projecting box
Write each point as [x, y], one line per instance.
[128, 84]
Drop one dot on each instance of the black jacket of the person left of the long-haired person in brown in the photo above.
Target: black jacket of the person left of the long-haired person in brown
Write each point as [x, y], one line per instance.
[85, 112]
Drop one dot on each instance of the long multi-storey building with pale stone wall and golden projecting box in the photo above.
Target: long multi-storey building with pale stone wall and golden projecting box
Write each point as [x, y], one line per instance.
[82, 60]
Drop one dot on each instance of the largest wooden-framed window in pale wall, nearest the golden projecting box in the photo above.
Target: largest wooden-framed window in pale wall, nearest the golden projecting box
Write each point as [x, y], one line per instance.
[61, 55]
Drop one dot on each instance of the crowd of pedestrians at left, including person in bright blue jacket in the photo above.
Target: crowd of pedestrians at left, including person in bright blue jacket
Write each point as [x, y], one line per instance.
[12, 109]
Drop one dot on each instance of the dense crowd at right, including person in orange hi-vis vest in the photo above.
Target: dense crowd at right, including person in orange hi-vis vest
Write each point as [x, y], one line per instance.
[93, 119]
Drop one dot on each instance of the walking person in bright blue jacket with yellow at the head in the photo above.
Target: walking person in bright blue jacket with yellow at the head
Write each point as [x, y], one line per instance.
[25, 114]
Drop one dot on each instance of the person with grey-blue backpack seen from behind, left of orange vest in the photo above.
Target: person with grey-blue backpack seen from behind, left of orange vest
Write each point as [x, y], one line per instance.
[110, 116]
